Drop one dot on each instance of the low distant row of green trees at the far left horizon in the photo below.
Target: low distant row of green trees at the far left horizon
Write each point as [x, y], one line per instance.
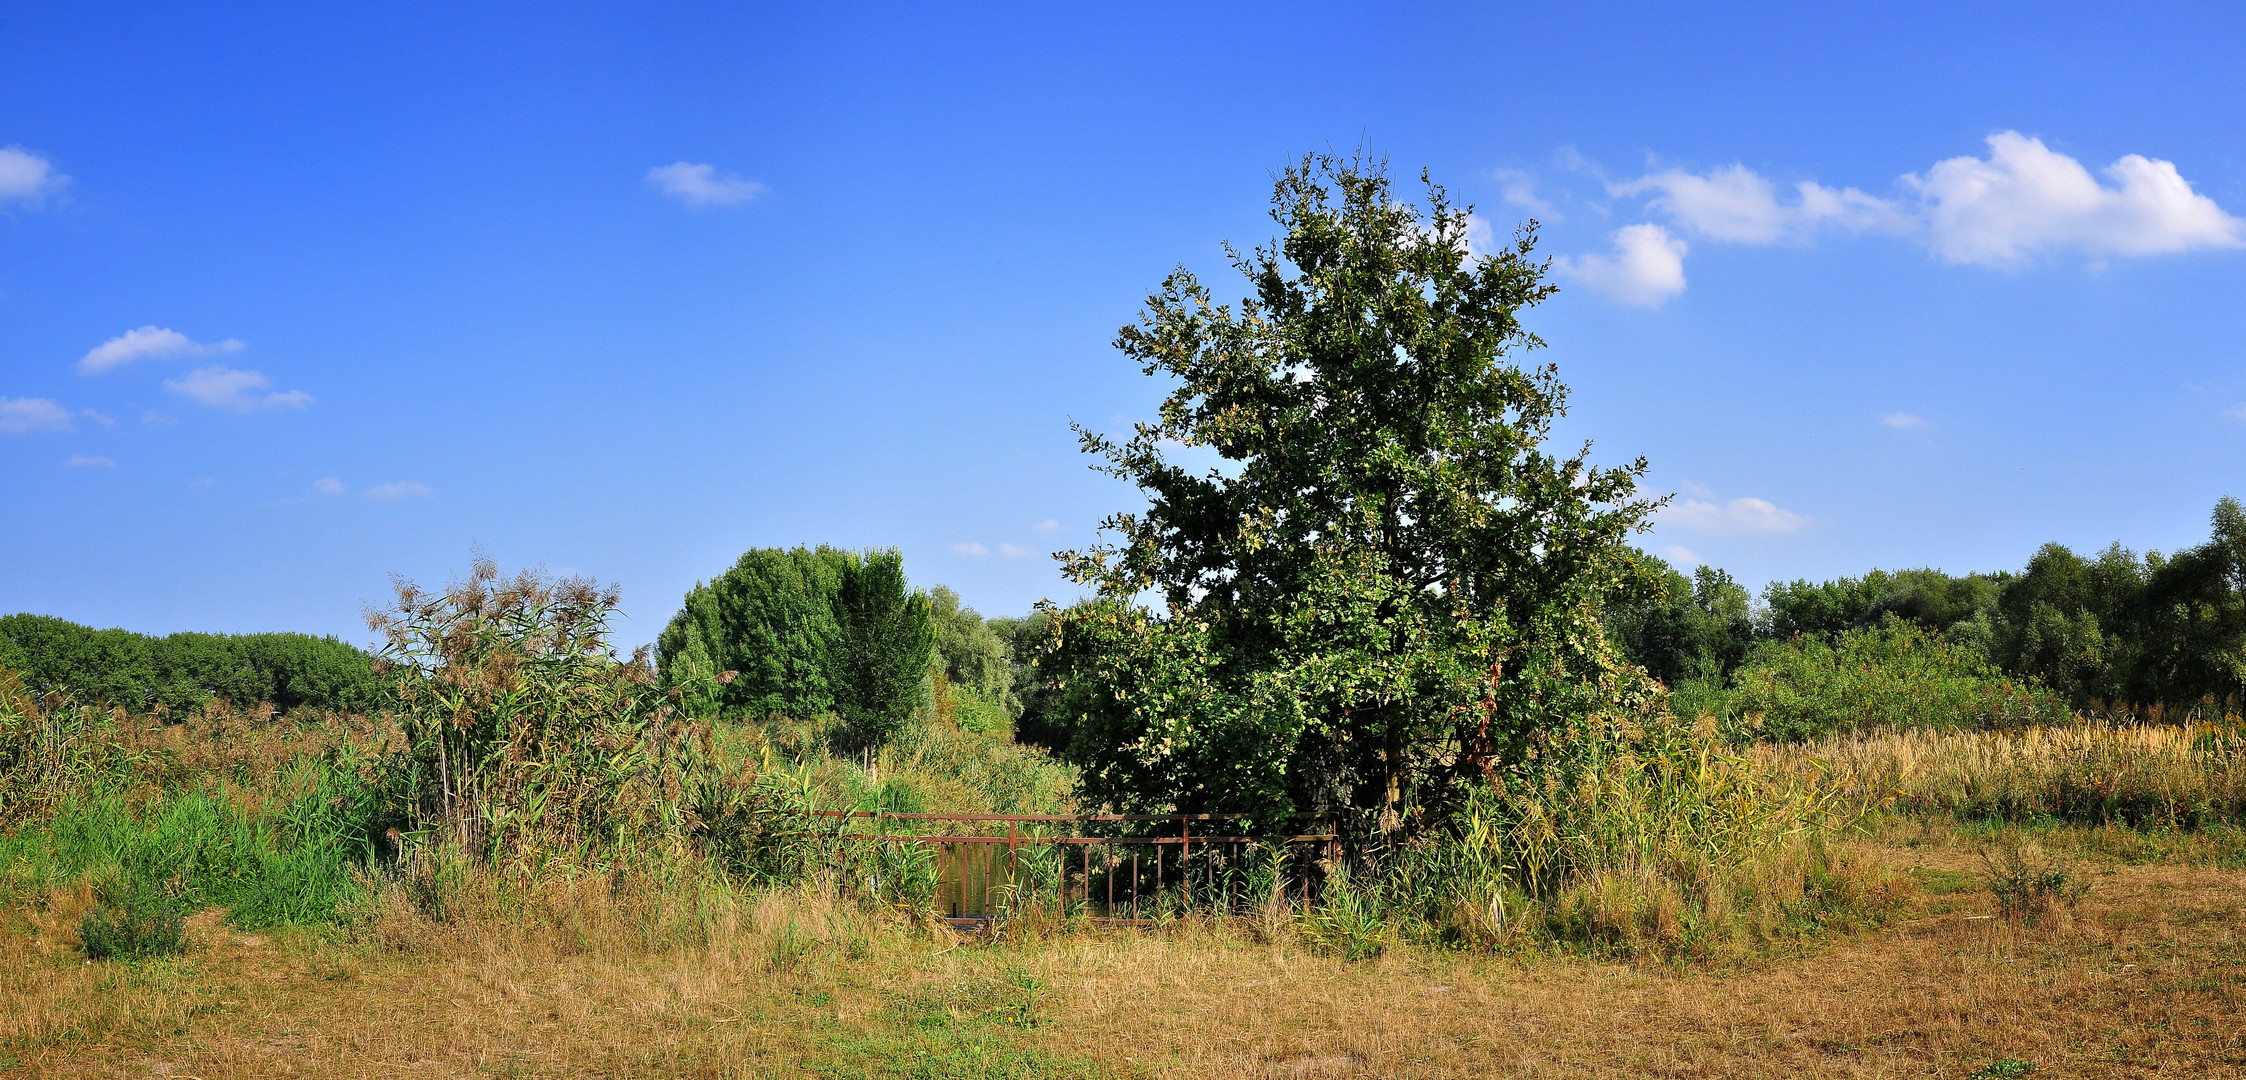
[185, 670]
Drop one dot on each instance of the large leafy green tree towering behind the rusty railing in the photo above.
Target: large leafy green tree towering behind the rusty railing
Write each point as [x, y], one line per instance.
[1387, 583]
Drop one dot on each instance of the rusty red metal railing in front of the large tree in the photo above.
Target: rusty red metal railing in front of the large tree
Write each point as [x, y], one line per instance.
[965, 881]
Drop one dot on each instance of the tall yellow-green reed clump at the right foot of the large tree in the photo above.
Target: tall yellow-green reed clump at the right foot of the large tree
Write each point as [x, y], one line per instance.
[1645, 841]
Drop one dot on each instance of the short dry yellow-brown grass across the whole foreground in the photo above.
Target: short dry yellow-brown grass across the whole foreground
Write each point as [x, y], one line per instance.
[2148, 978]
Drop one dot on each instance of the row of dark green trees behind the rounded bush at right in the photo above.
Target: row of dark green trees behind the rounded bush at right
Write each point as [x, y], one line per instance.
[2115, 632]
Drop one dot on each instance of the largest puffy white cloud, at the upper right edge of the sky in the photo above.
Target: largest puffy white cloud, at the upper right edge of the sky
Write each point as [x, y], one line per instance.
[2027, 201]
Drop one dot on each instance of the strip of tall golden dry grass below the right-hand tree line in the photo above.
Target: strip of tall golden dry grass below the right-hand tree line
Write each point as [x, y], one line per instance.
[2092, 774]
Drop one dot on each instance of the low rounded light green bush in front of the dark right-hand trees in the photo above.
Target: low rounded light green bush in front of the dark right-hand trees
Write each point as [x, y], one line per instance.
[1886, 677]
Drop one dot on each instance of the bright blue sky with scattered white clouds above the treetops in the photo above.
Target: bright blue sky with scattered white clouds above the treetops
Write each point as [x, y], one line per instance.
[295, 300]
